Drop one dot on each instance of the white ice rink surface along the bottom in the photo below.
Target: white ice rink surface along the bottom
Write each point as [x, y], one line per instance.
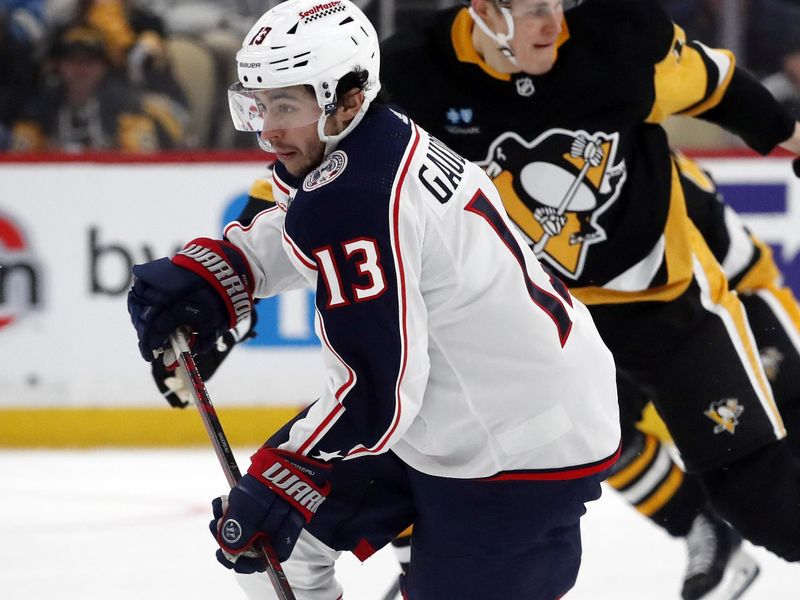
[125, 525]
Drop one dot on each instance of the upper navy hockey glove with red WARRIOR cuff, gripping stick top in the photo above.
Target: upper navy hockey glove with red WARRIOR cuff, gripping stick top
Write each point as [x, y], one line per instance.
[207, 287]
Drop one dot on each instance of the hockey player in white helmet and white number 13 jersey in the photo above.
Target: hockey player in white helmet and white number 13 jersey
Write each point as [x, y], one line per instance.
[465, 389]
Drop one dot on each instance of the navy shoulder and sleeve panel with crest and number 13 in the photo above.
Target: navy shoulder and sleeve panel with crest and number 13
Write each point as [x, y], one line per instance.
[342, 219]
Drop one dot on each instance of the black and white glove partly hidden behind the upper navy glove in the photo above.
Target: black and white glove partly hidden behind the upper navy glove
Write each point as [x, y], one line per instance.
[174, 389]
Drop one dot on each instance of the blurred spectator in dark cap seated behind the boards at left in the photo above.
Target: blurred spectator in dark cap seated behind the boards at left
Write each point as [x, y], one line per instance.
[84, 107]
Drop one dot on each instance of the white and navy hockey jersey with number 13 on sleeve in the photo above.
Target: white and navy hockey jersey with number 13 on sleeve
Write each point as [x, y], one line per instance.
[443, 338]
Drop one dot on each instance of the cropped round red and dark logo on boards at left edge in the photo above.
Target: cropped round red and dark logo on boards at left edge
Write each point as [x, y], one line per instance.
[20, 284]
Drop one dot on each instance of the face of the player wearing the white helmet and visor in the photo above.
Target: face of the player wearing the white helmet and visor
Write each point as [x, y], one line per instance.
[290, 127]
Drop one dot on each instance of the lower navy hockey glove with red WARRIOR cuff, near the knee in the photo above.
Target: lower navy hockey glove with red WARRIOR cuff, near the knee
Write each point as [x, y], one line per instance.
[273, 502]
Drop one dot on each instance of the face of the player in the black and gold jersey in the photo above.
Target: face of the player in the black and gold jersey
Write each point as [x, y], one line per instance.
[537, 24]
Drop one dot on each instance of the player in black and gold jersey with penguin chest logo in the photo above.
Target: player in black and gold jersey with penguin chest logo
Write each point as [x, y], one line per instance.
[564, 110]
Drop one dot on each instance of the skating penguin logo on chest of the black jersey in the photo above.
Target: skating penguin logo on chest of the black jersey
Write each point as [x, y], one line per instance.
[556, 189]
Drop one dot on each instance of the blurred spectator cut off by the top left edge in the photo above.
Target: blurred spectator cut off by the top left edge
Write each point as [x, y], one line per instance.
[22, 31]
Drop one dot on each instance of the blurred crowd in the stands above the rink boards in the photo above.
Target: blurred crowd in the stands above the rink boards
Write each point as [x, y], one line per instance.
[149, 75]
